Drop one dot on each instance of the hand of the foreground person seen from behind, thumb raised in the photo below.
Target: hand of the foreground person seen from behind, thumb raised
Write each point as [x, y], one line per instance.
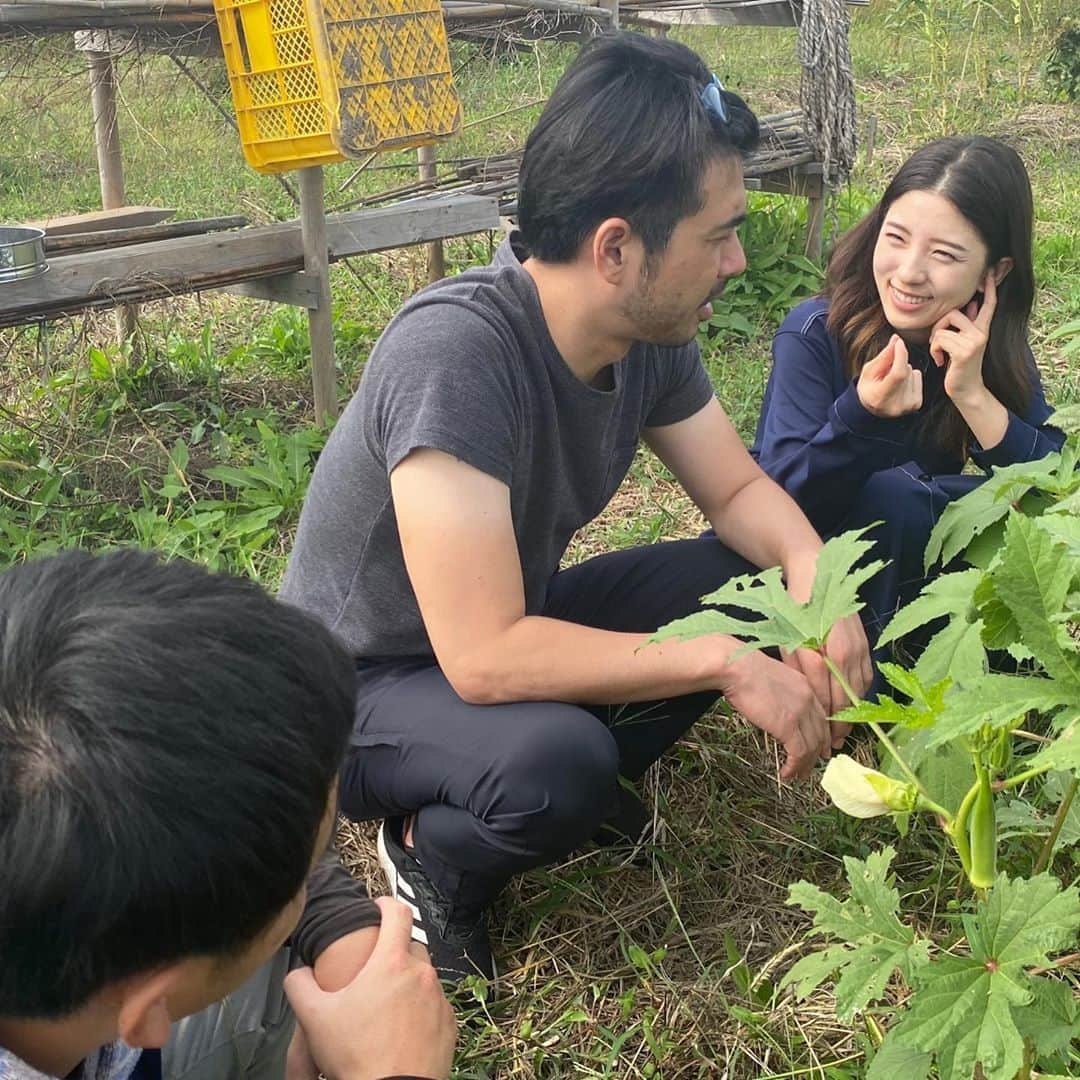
[391, 1020]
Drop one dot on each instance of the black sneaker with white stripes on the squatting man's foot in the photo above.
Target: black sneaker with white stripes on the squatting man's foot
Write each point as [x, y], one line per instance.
[458, 948]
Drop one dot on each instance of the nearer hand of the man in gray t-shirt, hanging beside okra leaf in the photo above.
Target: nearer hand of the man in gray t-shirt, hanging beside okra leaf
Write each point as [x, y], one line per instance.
[779, 699]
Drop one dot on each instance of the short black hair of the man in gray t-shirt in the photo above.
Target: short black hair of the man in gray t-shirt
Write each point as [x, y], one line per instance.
[625, 134]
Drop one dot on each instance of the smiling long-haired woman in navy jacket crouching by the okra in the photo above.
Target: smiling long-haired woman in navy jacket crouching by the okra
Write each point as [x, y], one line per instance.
[912, 362]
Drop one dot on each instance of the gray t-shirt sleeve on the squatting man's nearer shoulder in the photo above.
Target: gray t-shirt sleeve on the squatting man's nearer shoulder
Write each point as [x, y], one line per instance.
[444, 382]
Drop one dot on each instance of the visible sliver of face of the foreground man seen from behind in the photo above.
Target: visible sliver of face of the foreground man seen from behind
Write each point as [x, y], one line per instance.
[207, 980]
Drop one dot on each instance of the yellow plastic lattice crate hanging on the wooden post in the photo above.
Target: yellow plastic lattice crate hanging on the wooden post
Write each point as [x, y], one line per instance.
[315, 84]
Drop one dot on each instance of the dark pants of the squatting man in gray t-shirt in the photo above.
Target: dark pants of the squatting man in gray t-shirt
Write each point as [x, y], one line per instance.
[499, 789]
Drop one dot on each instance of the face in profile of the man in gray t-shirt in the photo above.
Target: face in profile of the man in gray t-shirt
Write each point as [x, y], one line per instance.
[678, 287]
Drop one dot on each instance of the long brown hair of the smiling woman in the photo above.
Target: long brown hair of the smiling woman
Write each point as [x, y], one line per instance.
[988, 183]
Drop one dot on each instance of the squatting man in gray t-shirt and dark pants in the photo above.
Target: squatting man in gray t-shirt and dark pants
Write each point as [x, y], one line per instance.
[502, 698]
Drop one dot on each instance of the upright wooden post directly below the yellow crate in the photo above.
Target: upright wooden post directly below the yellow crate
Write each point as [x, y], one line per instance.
[317, 271]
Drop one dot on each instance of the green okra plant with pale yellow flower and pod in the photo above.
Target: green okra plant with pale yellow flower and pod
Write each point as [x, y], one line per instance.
[981, 742]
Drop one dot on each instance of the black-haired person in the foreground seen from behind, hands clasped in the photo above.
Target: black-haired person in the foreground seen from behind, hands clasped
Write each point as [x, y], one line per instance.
[170, 744]
